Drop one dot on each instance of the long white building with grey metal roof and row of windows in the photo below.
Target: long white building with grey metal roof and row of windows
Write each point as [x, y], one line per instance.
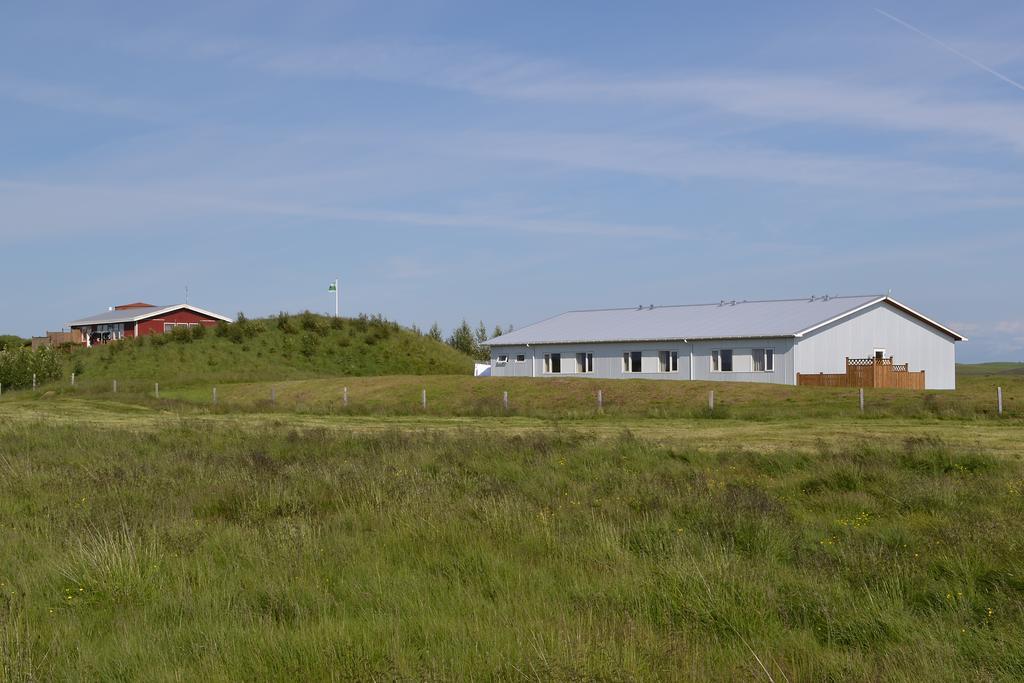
[740, 341]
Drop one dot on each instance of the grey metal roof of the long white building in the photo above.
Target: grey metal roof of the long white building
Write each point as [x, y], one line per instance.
[726, 320]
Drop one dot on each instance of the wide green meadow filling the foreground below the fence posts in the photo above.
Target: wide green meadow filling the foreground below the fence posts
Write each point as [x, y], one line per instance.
[195, 545]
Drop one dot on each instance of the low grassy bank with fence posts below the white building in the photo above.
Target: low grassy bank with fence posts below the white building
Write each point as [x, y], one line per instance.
[566, 399]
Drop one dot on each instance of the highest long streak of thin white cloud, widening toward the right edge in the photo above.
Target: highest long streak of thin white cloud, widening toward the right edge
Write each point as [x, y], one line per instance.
[769, 96]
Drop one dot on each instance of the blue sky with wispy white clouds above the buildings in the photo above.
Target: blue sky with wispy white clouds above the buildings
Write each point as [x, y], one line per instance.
[507, 162]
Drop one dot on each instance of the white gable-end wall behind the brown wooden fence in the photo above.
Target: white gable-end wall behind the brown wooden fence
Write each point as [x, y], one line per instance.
[902, 335]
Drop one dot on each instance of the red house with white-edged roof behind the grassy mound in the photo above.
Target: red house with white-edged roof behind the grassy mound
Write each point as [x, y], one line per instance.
[139, 320]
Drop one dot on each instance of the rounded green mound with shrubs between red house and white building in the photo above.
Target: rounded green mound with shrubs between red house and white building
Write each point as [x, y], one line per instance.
[278, 349]
